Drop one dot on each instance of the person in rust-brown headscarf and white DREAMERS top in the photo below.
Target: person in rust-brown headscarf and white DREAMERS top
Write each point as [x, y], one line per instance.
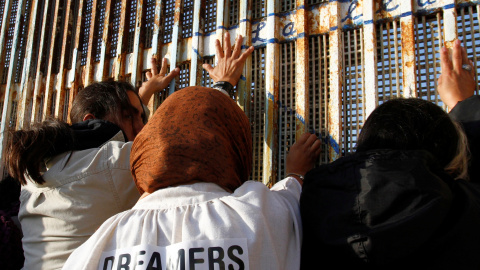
[198, 210]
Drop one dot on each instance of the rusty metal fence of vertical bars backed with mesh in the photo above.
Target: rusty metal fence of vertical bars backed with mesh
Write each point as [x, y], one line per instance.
[319, 66]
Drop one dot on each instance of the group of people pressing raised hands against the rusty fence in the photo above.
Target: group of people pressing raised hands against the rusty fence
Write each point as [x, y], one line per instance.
[118, 189]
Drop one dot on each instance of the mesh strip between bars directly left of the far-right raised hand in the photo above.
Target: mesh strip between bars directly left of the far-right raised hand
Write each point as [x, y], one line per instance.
[428, 42]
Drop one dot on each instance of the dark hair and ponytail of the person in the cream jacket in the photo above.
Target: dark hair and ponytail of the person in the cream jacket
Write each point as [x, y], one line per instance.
[27, 149]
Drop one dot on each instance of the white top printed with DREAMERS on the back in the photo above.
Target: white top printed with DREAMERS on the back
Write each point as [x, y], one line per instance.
[201, 226]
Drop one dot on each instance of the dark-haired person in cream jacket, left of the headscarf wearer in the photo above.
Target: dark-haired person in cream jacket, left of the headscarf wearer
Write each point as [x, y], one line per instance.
[75, 176]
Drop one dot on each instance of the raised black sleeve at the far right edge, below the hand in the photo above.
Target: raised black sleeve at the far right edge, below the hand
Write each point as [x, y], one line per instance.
[467, 113]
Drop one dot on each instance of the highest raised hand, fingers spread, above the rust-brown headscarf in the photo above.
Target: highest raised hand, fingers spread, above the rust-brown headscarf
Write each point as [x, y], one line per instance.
[230, 64]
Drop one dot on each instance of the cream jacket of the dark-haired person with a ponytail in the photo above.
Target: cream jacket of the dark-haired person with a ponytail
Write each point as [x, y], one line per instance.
[82, 190]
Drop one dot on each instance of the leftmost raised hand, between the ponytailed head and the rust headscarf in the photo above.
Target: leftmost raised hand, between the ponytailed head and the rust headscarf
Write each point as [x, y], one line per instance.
[156, 81]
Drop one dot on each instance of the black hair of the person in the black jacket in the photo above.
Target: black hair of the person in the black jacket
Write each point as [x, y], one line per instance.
[412, 123]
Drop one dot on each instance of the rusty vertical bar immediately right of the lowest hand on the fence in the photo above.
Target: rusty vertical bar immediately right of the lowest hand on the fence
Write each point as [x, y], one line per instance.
[336, 67]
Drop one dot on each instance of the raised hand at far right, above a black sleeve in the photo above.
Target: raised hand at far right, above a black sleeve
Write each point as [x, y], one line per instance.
[457, 81]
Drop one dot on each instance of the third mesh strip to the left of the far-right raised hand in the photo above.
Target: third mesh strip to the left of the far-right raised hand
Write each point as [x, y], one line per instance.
[353, 113]
